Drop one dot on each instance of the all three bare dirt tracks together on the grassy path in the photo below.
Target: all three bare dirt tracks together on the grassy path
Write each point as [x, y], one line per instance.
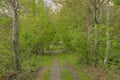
[55, 71]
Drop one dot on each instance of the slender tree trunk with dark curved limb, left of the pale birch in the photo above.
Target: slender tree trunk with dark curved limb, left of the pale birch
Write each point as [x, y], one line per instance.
[97, 13]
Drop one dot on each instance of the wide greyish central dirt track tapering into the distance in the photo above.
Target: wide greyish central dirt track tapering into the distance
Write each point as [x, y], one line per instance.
[55, 71]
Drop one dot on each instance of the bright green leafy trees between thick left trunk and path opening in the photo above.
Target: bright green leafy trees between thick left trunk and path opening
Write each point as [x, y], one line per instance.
[37, 29]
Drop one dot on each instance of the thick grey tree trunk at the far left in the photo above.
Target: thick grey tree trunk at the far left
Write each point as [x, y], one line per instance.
[16, 35]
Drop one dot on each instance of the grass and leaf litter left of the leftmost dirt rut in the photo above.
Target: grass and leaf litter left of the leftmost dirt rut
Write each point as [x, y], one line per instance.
[30, 66]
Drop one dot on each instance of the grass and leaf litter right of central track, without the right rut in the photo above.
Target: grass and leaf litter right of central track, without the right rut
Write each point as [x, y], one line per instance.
[84, 71]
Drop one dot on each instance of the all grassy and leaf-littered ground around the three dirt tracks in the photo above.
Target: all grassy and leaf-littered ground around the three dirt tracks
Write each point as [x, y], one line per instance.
[84, 71]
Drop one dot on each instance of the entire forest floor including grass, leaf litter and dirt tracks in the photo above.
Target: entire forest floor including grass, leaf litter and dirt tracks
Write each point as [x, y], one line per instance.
[62, 67]
